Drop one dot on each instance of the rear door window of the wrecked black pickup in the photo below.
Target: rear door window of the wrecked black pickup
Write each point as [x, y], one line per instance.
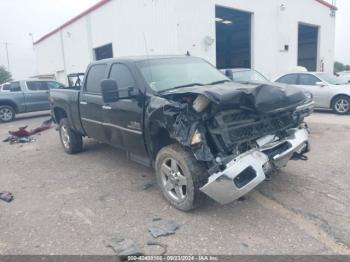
[93, 81]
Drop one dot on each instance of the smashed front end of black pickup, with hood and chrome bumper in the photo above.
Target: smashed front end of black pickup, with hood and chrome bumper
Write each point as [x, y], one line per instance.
[241, 132]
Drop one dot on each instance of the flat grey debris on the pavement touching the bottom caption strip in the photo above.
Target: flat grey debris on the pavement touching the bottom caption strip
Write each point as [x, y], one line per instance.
[123, 247]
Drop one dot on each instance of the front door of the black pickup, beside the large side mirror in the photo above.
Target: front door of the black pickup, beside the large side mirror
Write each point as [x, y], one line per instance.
[123, 119]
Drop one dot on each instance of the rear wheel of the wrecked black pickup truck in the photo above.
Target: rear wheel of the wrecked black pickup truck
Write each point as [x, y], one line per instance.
[71, 141]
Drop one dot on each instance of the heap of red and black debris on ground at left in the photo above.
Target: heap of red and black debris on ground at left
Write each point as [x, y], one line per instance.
[22, 135]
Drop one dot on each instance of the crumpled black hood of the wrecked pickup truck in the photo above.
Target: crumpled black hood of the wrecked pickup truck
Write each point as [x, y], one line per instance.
[262, 97]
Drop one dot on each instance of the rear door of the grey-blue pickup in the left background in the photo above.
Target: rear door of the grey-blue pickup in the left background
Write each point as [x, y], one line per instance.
[36, 96]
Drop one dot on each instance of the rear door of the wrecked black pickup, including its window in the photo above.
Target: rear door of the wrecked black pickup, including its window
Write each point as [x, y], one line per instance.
[91, 102]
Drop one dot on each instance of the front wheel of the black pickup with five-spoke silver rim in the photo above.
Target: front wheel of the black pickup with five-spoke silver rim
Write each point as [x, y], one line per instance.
[180, 177]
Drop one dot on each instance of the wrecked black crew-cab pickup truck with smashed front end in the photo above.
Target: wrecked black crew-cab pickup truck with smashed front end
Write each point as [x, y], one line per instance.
[203, 134]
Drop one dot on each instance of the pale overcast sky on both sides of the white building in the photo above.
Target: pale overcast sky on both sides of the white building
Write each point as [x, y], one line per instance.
[18, 18]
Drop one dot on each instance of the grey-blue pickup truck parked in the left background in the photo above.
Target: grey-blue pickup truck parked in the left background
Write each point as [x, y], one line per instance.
[25, 96]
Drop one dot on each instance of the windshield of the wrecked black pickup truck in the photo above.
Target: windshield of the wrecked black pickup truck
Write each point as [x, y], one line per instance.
[170, 73]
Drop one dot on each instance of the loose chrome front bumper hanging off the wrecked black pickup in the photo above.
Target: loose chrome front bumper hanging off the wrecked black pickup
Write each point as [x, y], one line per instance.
[248, 170]
